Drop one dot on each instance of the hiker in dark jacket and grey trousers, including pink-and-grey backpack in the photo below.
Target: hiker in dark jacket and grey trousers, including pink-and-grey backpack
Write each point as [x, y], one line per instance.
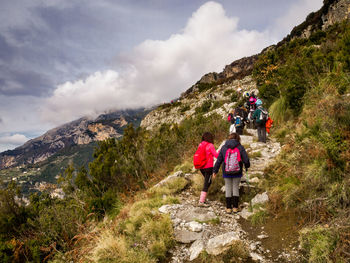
[232, 156]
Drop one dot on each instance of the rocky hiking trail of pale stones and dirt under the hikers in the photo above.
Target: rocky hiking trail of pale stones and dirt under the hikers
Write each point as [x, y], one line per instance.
[211, 229]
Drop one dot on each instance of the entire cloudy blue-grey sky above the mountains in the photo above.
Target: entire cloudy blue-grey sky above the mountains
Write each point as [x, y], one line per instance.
[61, 59]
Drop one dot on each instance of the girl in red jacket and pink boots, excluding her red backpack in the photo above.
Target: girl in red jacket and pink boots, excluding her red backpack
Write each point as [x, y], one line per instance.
[207, 170]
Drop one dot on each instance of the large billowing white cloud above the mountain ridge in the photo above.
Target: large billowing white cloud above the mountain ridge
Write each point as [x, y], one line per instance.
[157, 71]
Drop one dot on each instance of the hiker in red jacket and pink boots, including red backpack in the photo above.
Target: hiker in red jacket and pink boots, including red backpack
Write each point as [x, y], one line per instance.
[206, 151]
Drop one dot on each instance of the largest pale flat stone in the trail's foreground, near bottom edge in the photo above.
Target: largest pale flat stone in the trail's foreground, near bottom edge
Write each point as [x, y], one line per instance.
[221, 243]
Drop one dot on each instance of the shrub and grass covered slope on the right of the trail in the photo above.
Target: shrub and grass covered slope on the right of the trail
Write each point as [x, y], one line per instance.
[306, 82]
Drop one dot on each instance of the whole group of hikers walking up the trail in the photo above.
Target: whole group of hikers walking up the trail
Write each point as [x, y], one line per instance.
[232, 156]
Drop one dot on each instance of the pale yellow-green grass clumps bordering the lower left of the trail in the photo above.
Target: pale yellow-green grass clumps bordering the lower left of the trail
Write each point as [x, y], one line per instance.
[145, 235]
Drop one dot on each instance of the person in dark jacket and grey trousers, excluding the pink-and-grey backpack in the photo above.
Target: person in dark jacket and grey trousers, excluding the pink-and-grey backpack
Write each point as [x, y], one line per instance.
[232, 180]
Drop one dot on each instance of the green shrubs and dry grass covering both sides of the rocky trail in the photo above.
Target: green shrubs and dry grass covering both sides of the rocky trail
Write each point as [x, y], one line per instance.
[109, 215]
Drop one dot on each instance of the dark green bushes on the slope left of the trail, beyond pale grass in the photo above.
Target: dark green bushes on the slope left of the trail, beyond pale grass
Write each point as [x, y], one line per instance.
[120, 169]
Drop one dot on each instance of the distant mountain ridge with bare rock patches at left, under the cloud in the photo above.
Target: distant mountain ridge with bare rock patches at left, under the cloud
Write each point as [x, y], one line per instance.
[82, 131]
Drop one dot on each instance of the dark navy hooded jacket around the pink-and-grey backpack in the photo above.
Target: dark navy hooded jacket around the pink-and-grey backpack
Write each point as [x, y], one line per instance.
[231, 144]
